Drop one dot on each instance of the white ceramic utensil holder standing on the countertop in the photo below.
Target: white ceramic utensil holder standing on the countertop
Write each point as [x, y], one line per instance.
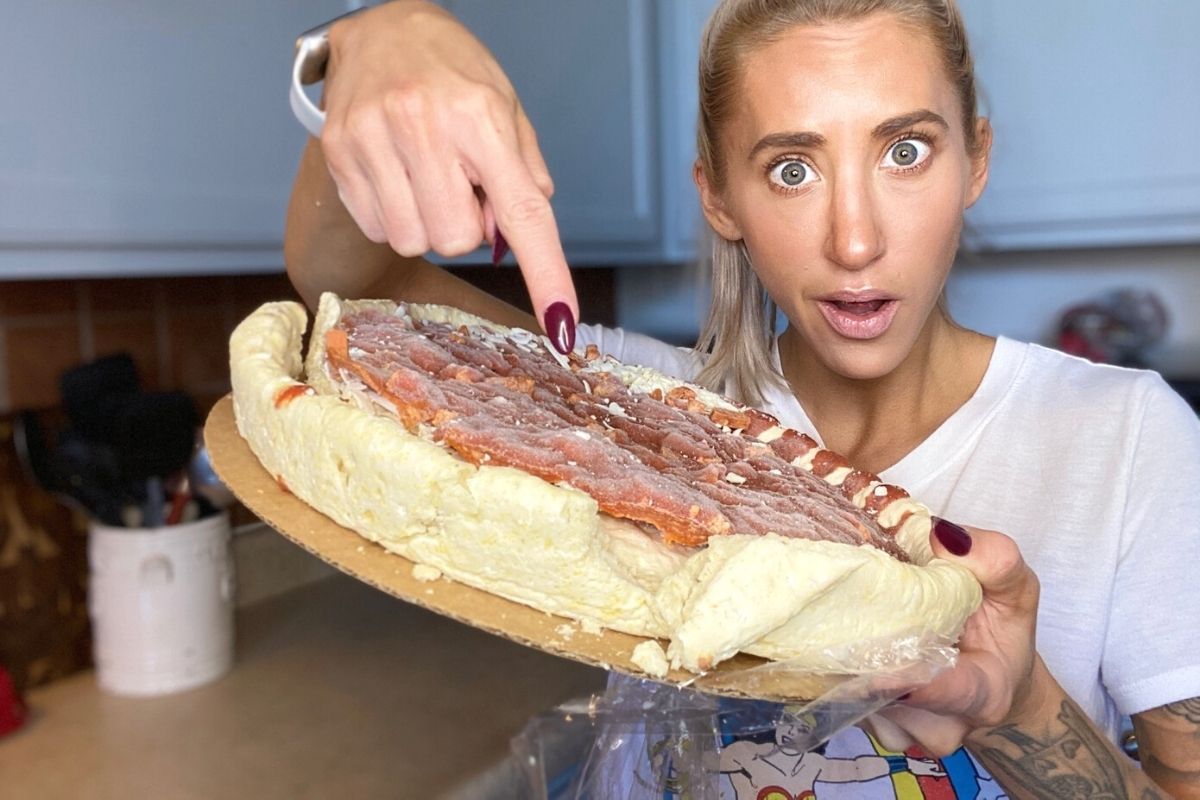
[161, 605]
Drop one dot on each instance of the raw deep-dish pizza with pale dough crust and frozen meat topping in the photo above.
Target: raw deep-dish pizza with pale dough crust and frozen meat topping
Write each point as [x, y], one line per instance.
[605, 494]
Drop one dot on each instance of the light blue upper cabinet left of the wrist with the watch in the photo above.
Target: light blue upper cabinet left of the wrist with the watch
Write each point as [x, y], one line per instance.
[148, 139]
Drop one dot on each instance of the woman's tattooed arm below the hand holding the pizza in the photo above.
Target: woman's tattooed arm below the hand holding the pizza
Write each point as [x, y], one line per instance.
[1051, 749]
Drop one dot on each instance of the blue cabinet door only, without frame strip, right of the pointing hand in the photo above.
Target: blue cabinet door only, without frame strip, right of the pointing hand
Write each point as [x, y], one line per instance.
[586, 74]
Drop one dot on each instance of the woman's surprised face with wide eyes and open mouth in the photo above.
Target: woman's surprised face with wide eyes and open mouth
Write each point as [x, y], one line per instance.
[847, 178]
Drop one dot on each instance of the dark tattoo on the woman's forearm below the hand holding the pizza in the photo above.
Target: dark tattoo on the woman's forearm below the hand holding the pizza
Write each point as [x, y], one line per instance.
[1069, 761]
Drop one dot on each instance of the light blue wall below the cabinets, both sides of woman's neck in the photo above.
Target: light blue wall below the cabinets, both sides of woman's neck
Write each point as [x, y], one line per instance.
[1017, 294]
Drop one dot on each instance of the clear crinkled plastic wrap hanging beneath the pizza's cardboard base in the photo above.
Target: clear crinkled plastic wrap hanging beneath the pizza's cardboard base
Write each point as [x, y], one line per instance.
[644, 739]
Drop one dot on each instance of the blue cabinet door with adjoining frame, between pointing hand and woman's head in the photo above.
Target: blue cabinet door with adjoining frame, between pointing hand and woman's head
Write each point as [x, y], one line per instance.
[610, 89]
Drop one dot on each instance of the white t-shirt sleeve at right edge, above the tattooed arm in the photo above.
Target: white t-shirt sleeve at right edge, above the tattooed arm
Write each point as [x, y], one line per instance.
[1153, 647]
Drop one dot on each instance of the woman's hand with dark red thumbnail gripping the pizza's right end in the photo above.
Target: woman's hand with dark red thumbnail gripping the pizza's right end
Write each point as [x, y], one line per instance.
[997, 677]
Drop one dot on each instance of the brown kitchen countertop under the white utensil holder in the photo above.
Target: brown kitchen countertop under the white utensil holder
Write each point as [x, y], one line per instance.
[338, 690]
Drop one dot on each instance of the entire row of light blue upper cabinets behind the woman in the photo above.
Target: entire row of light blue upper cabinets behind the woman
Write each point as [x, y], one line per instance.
[158, 140]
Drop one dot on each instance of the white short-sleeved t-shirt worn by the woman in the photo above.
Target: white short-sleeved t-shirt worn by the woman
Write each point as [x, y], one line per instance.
[1095, 472]
